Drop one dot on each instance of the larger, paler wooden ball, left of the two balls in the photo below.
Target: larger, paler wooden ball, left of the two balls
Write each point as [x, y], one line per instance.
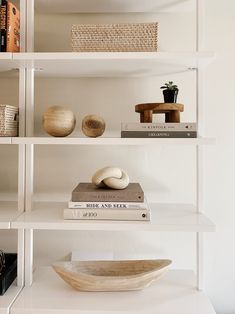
[58, 121]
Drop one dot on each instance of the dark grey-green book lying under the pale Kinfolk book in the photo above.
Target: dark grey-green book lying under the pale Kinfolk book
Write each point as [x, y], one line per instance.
[158, 134]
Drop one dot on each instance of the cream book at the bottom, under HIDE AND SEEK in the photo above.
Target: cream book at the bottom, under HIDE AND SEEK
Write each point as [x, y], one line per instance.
[107, 214]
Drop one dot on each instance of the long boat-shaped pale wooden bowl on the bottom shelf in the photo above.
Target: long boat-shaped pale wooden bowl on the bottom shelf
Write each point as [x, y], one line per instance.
[111, 275]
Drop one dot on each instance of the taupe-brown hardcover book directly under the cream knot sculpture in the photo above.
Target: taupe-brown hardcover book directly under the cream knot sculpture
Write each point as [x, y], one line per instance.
[89, 192]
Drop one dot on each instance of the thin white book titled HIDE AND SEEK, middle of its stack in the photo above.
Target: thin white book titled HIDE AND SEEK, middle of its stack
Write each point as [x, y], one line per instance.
[107, 205]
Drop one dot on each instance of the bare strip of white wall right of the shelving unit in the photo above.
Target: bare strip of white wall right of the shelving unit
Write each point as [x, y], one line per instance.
[220, 168]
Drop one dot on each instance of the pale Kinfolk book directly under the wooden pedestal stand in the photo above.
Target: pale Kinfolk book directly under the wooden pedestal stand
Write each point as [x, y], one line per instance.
[159, 126]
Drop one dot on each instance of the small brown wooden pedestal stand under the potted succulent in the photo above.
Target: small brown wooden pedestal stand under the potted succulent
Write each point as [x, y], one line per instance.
[172, 111]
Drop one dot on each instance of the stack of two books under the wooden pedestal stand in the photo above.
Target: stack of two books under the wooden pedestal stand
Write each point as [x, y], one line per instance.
[159, 130]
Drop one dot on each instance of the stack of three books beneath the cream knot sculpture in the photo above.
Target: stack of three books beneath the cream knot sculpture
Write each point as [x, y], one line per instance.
[92, 203]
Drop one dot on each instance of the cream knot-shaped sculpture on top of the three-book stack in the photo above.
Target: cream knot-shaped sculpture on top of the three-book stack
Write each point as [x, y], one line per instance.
[114, 178]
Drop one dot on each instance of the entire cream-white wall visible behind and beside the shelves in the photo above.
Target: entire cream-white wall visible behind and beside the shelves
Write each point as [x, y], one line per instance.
[153, 167]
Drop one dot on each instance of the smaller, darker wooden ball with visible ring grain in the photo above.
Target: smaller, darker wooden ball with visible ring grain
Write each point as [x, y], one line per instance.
[93, 125]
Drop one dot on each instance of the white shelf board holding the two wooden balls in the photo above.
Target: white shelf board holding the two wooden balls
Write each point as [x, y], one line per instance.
[111, 141]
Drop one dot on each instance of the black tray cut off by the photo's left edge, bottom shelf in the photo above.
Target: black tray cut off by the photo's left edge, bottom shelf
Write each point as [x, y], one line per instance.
[9, 272]
